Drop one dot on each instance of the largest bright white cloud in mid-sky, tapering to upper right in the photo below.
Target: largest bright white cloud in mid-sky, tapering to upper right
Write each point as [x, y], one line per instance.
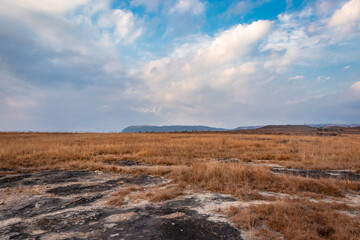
[198, 74]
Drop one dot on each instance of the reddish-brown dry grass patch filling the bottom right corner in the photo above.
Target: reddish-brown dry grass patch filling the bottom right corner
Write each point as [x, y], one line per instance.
[297, 219]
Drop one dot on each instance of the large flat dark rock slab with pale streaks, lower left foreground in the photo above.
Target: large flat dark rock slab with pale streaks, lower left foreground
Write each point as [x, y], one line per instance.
[73, 205]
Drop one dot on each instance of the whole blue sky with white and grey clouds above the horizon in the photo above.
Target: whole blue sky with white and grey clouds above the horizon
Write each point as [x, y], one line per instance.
[102, 65]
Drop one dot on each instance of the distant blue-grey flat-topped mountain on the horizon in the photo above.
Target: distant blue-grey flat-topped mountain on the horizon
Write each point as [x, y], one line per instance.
[173, 128]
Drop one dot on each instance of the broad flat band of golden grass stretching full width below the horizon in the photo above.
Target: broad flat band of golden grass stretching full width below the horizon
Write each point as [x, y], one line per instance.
[19, 150]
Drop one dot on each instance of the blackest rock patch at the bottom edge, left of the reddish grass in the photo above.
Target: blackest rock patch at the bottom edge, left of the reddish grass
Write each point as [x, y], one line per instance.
[149, 223]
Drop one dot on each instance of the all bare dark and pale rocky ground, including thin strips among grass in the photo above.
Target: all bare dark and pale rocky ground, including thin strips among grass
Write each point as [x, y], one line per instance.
[61, 204]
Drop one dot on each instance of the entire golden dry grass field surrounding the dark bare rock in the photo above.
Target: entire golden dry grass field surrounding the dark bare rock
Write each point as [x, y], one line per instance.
[271, 199]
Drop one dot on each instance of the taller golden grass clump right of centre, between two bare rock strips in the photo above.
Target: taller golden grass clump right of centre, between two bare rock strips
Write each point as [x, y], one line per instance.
[239, 179]
